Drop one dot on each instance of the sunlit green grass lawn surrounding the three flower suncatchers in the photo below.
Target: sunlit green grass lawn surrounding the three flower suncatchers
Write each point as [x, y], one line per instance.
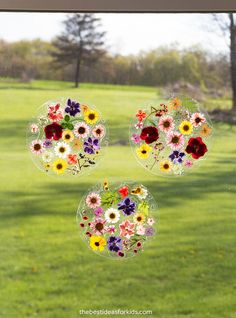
[46, 270]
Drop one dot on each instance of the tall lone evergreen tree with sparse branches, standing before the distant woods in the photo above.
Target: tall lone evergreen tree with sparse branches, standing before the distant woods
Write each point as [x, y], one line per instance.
[80, 43]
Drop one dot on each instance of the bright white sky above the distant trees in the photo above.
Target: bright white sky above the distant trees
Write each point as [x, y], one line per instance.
[126, 33]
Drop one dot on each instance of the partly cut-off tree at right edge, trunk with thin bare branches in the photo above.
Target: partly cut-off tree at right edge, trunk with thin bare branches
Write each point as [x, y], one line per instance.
[227, 24]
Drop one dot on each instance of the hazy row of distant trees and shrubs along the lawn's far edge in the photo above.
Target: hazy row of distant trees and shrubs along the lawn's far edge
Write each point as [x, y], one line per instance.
[35, 59]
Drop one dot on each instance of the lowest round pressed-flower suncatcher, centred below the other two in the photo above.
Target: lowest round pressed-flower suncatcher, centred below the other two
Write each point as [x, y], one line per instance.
[116, 221]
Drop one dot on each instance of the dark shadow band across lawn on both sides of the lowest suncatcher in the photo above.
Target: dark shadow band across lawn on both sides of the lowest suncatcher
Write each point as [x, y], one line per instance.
[63, 198]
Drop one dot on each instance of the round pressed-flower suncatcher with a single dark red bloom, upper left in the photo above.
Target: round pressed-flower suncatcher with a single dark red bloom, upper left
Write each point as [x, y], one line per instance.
[67, 138]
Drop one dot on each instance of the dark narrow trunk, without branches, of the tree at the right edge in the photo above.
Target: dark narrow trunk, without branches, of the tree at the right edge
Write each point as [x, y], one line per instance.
[233, 57]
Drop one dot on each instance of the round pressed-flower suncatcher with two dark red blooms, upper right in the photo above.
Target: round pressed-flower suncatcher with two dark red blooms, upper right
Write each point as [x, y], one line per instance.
[171, 138]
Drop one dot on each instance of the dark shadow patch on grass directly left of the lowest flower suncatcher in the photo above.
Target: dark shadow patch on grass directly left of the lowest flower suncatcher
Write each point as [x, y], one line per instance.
[46, 201]
